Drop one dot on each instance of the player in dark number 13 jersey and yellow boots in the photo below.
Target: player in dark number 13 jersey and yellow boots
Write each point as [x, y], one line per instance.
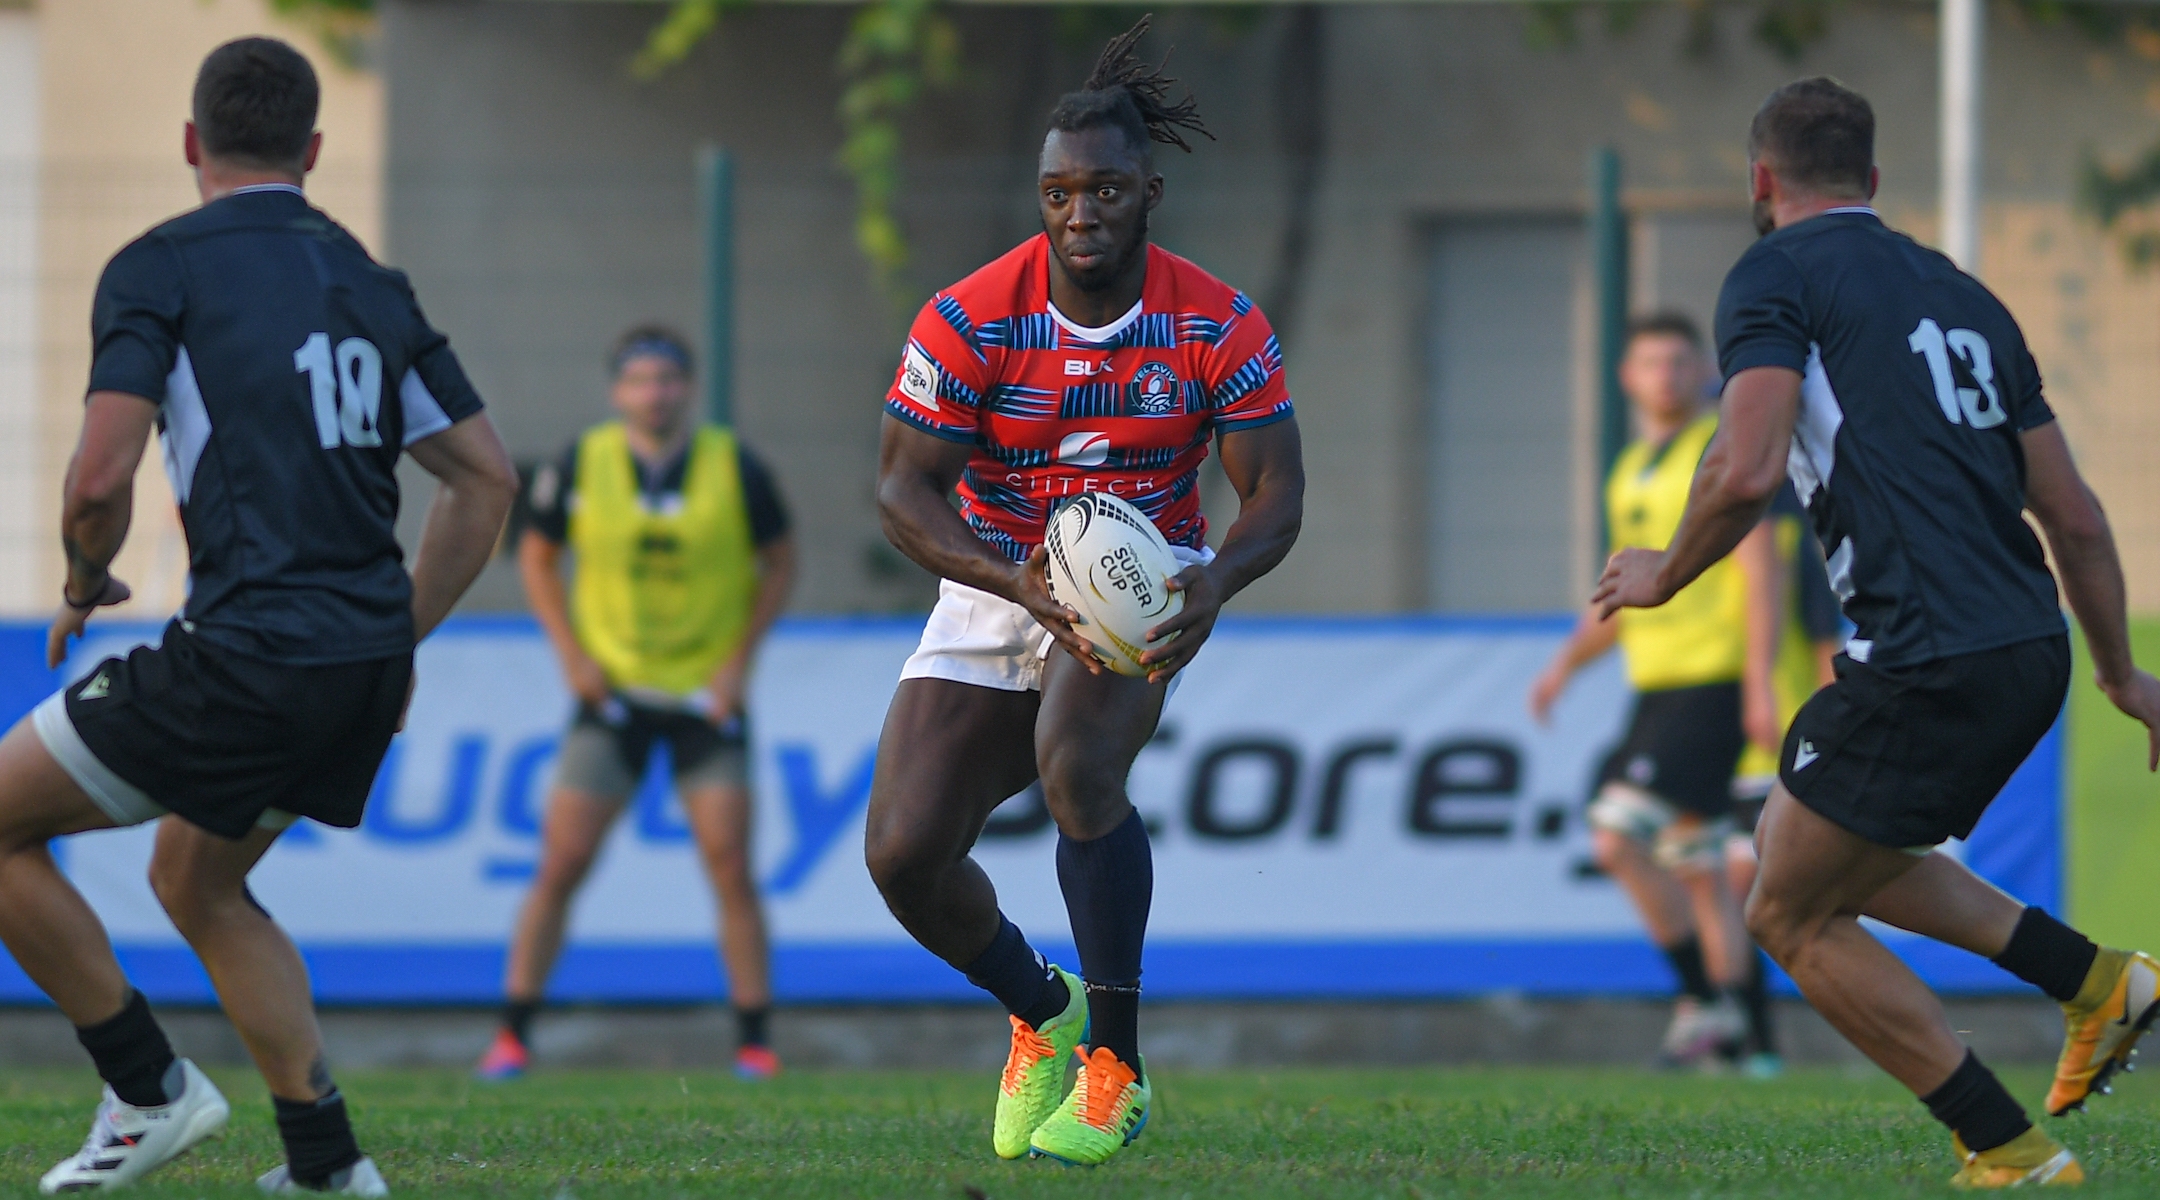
[1904, 403]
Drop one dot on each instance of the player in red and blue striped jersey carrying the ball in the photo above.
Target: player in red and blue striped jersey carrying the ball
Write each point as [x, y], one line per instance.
[1083, 362]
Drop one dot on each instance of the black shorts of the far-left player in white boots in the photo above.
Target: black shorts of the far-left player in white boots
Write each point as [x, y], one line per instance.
[221, 737]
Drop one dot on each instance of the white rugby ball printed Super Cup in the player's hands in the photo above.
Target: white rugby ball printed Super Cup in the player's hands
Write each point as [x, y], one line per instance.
[1111, 564]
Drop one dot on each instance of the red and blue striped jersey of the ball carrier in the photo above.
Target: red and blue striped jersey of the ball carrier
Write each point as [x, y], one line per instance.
[1057, 411]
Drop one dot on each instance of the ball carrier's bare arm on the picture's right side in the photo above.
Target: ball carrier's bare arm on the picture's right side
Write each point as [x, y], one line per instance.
[1267, 467]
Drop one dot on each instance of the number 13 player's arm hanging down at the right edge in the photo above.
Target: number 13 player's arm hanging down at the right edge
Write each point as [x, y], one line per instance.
[2092, 575]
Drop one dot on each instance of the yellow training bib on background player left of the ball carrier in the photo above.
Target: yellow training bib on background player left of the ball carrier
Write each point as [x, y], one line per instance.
[662, 599]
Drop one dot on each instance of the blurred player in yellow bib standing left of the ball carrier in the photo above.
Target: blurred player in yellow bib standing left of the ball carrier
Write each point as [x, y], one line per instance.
[681, 567]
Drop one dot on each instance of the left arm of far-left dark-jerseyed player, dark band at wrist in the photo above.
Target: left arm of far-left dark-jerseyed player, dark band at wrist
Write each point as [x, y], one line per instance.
[96, 508]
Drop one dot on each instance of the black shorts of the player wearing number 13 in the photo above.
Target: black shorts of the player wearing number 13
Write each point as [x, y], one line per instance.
[1913, 756]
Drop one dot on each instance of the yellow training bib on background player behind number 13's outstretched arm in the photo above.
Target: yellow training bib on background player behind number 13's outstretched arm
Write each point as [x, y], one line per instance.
[1701, 636]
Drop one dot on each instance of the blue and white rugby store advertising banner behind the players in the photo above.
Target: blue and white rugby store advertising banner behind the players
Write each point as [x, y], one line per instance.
[1342, 808]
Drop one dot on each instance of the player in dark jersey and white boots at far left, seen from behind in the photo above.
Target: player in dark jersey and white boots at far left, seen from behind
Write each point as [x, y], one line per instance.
[288, 374]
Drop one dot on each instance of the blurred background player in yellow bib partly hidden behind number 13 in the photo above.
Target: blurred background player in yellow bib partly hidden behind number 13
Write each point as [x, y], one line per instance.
[1701, 670]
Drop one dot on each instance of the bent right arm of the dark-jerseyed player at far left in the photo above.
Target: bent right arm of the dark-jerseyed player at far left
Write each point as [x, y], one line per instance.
[465, 519]
